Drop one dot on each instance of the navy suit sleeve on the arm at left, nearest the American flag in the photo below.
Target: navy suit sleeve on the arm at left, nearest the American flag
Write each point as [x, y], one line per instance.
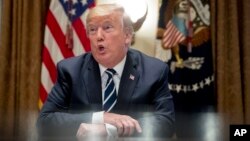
[55, 118]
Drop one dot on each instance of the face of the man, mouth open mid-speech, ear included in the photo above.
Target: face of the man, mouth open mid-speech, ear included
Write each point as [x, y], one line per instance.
[109, 41]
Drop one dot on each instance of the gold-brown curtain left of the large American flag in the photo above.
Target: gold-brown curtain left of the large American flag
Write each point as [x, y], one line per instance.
[22, 28]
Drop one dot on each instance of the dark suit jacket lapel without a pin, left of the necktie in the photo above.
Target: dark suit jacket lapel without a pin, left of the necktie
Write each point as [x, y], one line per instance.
[92, 80]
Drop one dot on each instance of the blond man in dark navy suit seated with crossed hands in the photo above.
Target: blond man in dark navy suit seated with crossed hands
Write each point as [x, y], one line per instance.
[112, 91]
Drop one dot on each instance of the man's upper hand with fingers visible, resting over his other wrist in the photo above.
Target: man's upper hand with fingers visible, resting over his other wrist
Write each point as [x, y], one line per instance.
[126, 125]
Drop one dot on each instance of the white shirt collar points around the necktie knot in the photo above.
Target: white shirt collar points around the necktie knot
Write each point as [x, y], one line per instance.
[118, 68]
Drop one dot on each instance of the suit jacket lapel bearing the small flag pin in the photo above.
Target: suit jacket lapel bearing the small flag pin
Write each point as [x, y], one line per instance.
[128, 82]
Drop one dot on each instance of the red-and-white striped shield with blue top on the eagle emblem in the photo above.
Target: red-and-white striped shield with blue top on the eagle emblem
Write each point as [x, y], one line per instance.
[175, 32]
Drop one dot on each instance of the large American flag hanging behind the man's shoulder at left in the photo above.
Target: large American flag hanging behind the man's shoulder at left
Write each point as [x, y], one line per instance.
[65, 37]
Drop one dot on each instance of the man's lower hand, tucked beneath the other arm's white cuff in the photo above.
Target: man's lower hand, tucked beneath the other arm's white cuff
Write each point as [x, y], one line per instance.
[86, 131]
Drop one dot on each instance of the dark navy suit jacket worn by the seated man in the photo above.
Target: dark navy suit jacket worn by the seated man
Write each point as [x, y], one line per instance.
[77, 94]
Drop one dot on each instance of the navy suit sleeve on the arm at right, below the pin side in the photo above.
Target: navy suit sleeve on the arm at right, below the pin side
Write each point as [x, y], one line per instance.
[160, 123]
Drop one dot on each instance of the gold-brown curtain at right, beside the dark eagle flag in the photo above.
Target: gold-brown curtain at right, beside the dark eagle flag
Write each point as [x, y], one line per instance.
[231, 49]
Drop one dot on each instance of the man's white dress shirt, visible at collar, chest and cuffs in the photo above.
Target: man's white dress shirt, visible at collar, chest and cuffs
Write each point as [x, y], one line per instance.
[97, 117]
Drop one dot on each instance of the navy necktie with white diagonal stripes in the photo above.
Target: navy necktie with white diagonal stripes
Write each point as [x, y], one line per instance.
[110, 95]
